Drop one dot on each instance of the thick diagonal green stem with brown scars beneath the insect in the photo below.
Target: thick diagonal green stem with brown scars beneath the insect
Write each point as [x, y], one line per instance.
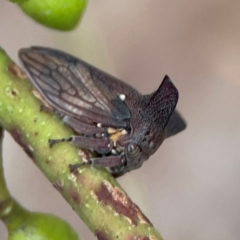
[93, 193]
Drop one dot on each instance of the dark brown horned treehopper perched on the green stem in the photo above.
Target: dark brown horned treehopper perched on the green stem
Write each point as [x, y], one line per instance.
[112, 118]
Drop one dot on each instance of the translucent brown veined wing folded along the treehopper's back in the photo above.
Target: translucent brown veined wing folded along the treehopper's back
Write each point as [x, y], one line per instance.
[71, 87]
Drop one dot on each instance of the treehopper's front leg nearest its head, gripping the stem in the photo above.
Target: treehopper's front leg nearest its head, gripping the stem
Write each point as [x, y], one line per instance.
[108, 161]
